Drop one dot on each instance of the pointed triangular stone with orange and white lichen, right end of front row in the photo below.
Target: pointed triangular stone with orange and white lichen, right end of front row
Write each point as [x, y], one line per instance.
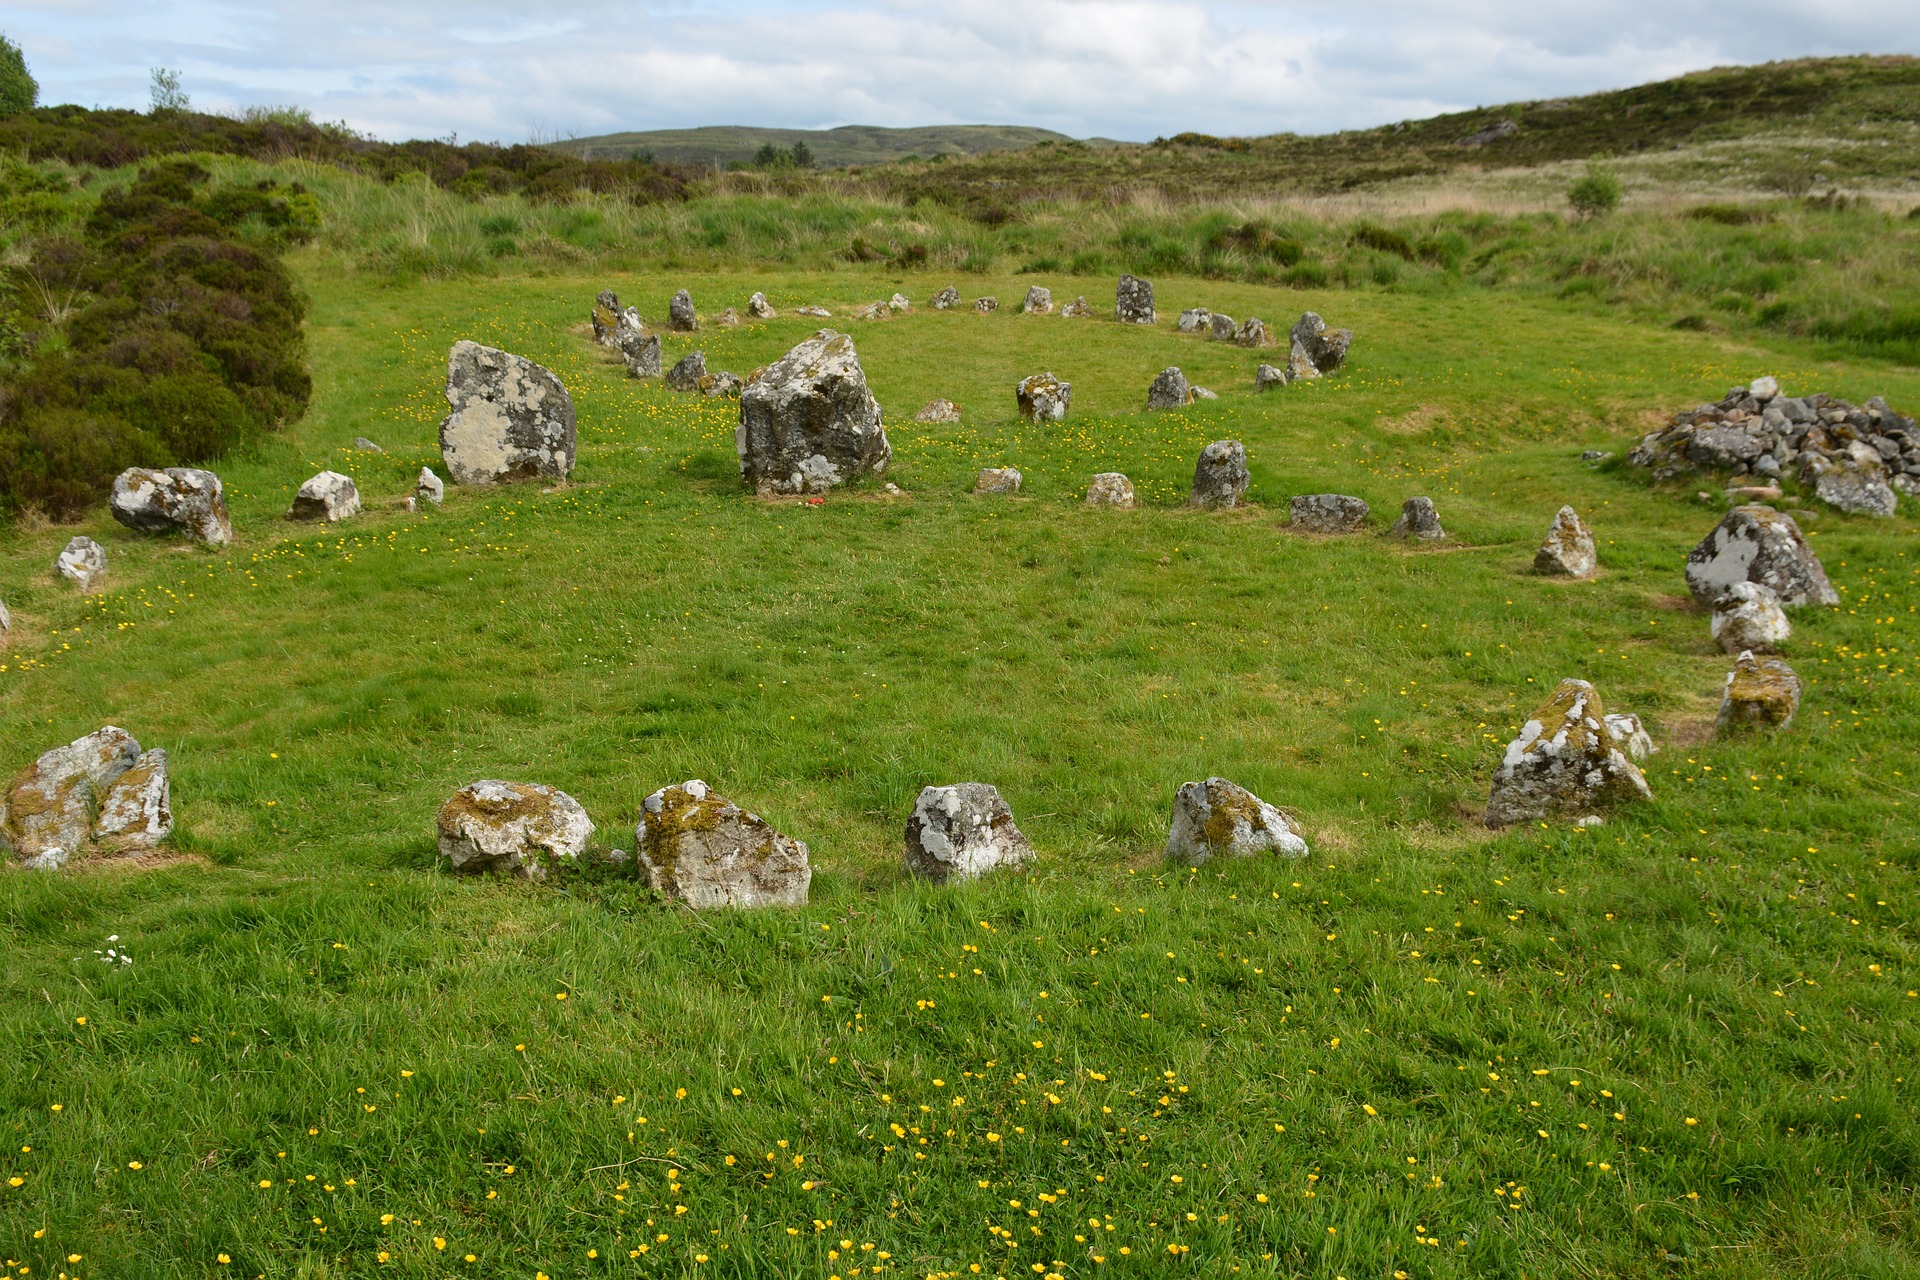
[1566, 763]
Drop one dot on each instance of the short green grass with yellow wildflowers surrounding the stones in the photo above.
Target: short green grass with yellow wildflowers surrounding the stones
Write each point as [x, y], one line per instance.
[1669, 1047]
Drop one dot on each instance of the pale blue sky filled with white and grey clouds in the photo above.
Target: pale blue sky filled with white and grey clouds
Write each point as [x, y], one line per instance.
[506, 70]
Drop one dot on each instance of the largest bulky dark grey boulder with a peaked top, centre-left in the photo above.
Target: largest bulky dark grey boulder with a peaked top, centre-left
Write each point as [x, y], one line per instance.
[809, 421]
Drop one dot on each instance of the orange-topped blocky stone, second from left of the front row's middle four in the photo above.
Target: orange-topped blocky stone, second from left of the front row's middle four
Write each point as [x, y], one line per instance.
[708, 853]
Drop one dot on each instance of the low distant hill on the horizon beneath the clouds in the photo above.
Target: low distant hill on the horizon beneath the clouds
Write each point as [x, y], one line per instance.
[834, 149]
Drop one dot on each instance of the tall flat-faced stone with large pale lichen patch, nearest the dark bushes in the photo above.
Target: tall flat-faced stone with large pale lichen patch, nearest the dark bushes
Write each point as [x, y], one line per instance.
[512, 419]
